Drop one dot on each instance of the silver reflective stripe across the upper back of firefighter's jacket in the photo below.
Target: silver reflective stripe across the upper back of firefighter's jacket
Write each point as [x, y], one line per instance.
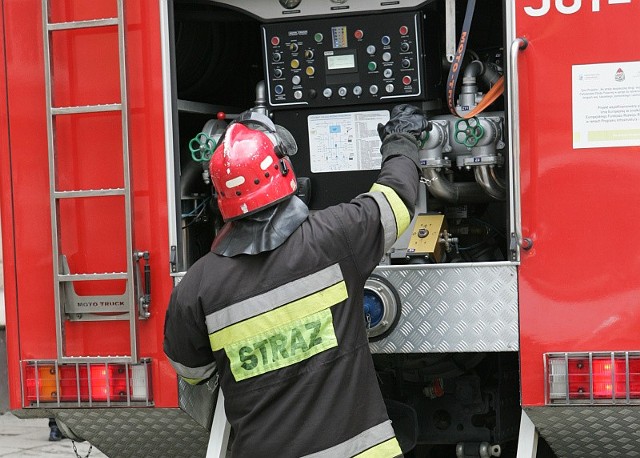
[275, 298]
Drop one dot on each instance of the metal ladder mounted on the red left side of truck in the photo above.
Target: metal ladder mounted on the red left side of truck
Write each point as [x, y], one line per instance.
[116, 307]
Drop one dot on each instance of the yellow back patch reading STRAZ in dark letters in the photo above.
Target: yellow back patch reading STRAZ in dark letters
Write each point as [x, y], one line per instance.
[283, 346]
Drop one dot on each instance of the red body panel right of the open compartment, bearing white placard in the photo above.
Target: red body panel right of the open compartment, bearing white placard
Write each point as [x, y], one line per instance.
[579, 97]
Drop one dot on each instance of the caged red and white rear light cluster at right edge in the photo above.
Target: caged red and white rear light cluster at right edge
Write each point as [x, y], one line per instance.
[593, 378]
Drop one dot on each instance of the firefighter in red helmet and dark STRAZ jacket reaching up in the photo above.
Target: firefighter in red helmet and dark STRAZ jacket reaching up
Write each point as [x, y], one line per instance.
[276, 307]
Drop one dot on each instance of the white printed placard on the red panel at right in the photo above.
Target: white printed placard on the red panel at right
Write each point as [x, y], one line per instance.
[606, 105]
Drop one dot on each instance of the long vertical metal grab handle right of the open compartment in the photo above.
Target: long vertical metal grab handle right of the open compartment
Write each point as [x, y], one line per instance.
[513, 102]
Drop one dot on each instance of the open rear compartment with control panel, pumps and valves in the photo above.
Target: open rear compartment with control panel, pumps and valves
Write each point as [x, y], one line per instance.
[442, 305]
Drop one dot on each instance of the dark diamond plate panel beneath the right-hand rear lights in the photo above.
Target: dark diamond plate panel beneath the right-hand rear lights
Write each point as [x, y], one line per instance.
[590, 431]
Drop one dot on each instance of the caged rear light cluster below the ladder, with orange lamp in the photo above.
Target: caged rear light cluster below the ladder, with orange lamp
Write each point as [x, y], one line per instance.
[86, 384]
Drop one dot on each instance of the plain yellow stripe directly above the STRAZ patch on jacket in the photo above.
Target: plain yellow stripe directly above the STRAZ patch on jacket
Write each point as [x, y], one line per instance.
[278, 317]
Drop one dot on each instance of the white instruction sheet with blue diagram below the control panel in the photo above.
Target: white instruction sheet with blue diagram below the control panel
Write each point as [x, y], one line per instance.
[345, 141]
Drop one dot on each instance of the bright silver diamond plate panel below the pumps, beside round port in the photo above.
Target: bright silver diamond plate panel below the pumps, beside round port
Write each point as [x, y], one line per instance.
[453, 308]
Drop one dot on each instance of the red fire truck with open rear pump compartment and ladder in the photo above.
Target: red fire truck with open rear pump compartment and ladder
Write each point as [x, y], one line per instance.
[500, 323]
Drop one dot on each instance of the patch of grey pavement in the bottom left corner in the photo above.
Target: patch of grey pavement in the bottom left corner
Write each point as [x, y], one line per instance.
[30, 438]
